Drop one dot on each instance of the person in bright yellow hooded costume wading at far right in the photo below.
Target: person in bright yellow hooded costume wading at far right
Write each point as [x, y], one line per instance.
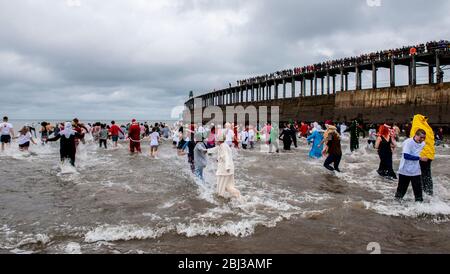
[421, 122]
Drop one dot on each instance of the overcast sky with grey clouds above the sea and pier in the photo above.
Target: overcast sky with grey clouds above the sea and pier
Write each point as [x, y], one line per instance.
[116, 59]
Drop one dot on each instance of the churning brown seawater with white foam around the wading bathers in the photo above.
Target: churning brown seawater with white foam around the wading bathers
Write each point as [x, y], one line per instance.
[115, 202]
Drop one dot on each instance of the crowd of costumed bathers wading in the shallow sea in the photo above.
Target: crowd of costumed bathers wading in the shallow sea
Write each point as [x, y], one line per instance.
[199, 140]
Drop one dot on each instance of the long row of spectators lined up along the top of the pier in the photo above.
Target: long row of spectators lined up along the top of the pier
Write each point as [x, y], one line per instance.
[382, 55]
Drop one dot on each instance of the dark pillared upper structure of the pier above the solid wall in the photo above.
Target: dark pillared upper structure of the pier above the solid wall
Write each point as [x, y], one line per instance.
[268, 89]
